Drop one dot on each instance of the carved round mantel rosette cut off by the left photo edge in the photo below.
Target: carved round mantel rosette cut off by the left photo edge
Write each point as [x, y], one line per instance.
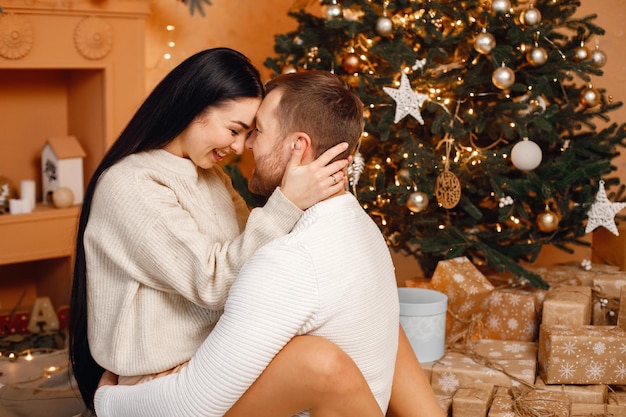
[16, 36]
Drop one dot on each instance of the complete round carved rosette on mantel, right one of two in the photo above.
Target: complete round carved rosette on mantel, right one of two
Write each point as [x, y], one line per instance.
[93, 38]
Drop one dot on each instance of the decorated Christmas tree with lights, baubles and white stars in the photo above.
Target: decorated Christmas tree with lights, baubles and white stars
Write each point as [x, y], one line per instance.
[482, 135]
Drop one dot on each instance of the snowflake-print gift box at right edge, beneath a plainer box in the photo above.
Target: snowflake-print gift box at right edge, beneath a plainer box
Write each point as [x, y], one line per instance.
[582, 354]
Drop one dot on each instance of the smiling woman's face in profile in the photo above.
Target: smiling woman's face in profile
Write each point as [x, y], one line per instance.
[216, 132]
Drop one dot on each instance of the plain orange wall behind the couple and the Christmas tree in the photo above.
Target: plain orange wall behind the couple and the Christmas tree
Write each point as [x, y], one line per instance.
[250, 26]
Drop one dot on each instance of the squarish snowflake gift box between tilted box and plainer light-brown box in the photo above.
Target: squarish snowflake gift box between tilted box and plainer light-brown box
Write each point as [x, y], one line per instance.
[511, 314]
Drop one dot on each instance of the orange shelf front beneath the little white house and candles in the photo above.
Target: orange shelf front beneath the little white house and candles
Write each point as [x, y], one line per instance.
[45, 233]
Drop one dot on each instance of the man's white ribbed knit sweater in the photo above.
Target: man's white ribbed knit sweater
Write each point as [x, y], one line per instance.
[332, 276]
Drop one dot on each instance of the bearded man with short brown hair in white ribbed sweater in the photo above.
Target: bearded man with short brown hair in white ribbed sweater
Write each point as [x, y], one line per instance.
[332, 276]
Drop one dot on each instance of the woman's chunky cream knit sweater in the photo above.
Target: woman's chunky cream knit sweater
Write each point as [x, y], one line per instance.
[164, 242]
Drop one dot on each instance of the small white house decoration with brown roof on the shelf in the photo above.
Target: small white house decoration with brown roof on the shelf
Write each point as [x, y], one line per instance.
[62, 166]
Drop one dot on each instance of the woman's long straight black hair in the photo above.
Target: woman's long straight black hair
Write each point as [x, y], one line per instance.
[205, 79]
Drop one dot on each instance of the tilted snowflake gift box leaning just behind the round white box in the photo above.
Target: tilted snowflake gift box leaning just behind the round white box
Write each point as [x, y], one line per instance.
[466, 288]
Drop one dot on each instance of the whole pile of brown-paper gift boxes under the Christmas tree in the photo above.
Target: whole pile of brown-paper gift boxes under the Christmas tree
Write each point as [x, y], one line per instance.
[514, 350]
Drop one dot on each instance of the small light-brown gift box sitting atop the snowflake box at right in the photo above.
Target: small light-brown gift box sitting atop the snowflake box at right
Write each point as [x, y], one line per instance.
[567, 306]
